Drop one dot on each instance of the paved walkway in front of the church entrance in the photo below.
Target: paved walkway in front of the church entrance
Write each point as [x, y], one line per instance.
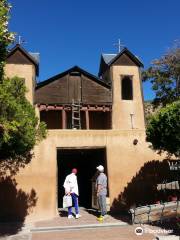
[85, 228]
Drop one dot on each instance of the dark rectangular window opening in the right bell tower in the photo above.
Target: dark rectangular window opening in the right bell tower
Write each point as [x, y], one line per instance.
[126, 88]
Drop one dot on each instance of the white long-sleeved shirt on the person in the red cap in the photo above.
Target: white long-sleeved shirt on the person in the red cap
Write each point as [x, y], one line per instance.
[70, 184]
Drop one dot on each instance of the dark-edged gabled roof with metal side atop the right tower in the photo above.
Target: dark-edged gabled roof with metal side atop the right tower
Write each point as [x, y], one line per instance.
[109, 59]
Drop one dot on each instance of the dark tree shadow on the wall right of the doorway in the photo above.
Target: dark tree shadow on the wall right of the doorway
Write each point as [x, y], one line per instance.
[142, 189]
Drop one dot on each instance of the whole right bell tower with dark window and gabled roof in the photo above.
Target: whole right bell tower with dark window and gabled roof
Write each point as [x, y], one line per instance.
[123, 72]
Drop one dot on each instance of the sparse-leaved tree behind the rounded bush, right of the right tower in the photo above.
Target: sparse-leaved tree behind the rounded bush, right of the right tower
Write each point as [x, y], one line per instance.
[164, 74]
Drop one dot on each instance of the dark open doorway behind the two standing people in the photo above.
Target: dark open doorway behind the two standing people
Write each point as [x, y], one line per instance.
[85, 160]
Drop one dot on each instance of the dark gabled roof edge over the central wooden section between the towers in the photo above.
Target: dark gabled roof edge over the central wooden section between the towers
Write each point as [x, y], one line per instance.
[73, 69]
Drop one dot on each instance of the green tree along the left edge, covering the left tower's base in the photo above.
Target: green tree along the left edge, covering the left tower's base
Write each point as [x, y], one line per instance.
[20, 129]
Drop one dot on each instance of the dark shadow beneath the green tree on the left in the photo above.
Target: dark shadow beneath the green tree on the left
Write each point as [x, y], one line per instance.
[15, 205]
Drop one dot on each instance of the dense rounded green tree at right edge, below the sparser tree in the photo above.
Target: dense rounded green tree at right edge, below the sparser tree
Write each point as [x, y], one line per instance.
[163, 129]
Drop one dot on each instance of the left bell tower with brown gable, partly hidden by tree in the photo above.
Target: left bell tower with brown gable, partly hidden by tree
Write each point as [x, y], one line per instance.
[22, 64]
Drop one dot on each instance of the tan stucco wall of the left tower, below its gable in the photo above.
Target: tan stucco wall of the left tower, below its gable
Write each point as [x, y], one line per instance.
[23, 71]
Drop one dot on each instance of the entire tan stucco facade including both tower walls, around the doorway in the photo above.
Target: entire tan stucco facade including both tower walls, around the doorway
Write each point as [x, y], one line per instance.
[123, 158]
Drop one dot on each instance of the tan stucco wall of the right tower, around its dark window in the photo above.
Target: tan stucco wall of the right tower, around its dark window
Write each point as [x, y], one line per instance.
[123, 108]
